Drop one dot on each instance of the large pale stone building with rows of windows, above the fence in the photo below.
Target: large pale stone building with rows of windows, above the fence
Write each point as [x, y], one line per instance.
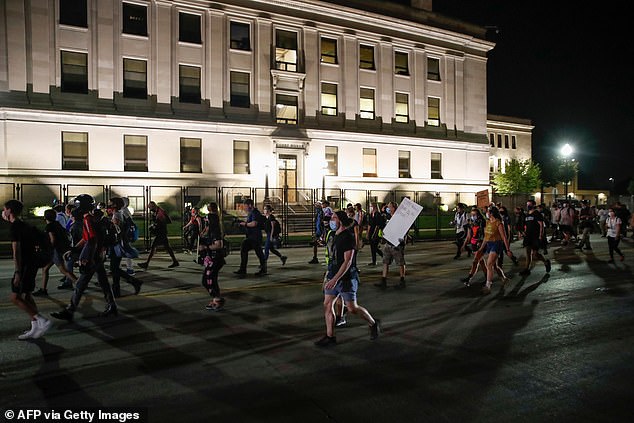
[300, 94]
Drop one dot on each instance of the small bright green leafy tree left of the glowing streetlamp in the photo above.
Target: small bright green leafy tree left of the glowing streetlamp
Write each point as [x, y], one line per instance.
[520, 177]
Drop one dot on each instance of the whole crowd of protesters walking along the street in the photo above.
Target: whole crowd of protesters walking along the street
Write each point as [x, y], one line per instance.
[81, 236]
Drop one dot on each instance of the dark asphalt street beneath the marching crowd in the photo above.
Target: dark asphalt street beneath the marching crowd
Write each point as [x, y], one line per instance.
[555, 347]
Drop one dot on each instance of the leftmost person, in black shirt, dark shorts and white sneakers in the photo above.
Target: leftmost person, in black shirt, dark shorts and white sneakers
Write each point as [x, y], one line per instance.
[23, 281]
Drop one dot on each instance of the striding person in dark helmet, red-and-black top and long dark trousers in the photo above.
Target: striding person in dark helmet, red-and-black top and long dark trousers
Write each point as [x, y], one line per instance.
[91, 259]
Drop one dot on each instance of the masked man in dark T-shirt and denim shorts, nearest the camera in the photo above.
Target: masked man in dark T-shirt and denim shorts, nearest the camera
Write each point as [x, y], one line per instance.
[343, 279]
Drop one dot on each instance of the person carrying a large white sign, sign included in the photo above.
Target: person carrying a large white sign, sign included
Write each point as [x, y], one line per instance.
[394, 234]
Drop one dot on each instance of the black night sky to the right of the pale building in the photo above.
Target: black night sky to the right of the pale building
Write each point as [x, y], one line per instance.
[564, 65]
